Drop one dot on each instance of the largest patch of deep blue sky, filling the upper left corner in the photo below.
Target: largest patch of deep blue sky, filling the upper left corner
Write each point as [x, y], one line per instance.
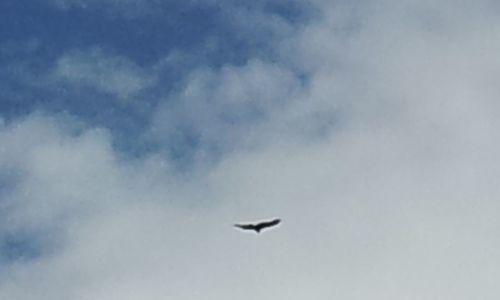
[37, 34]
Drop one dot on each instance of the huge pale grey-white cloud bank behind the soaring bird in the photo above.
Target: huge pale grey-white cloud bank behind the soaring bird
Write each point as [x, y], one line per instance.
[397, 201]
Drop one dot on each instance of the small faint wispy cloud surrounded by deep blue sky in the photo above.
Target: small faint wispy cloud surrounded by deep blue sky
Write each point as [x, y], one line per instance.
[96, 69]
